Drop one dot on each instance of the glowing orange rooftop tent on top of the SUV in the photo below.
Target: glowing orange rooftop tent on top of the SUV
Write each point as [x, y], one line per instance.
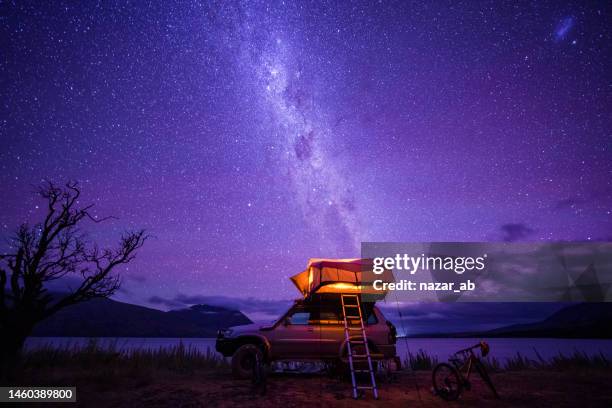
[340, 276]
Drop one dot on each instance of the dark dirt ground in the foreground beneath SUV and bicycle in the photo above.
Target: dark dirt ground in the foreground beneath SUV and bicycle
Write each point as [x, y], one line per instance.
[517, 388]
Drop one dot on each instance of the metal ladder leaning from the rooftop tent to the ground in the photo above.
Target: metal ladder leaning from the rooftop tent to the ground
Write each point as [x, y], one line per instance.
[351, 309]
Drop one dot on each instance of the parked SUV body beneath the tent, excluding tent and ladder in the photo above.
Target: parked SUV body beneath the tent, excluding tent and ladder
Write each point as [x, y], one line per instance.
[312, 329]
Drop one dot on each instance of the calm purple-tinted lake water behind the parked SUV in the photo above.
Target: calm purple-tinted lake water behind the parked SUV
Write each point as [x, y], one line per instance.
[501, 348]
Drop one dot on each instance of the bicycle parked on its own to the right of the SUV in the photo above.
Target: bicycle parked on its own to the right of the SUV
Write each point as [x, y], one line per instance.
[449, 380]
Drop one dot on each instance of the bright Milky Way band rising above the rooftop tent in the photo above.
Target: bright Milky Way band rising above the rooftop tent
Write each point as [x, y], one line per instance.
[323, 193]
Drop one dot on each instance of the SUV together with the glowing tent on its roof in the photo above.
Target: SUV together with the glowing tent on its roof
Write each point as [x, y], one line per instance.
[314, 326]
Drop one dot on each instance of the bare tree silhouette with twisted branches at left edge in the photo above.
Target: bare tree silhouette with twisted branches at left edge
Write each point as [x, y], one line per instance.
[47, 251]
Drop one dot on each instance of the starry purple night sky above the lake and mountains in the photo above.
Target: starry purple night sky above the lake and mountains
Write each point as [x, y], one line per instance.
[249, 138]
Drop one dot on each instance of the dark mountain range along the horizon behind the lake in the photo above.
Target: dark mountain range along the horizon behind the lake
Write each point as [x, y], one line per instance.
[111, 318]
